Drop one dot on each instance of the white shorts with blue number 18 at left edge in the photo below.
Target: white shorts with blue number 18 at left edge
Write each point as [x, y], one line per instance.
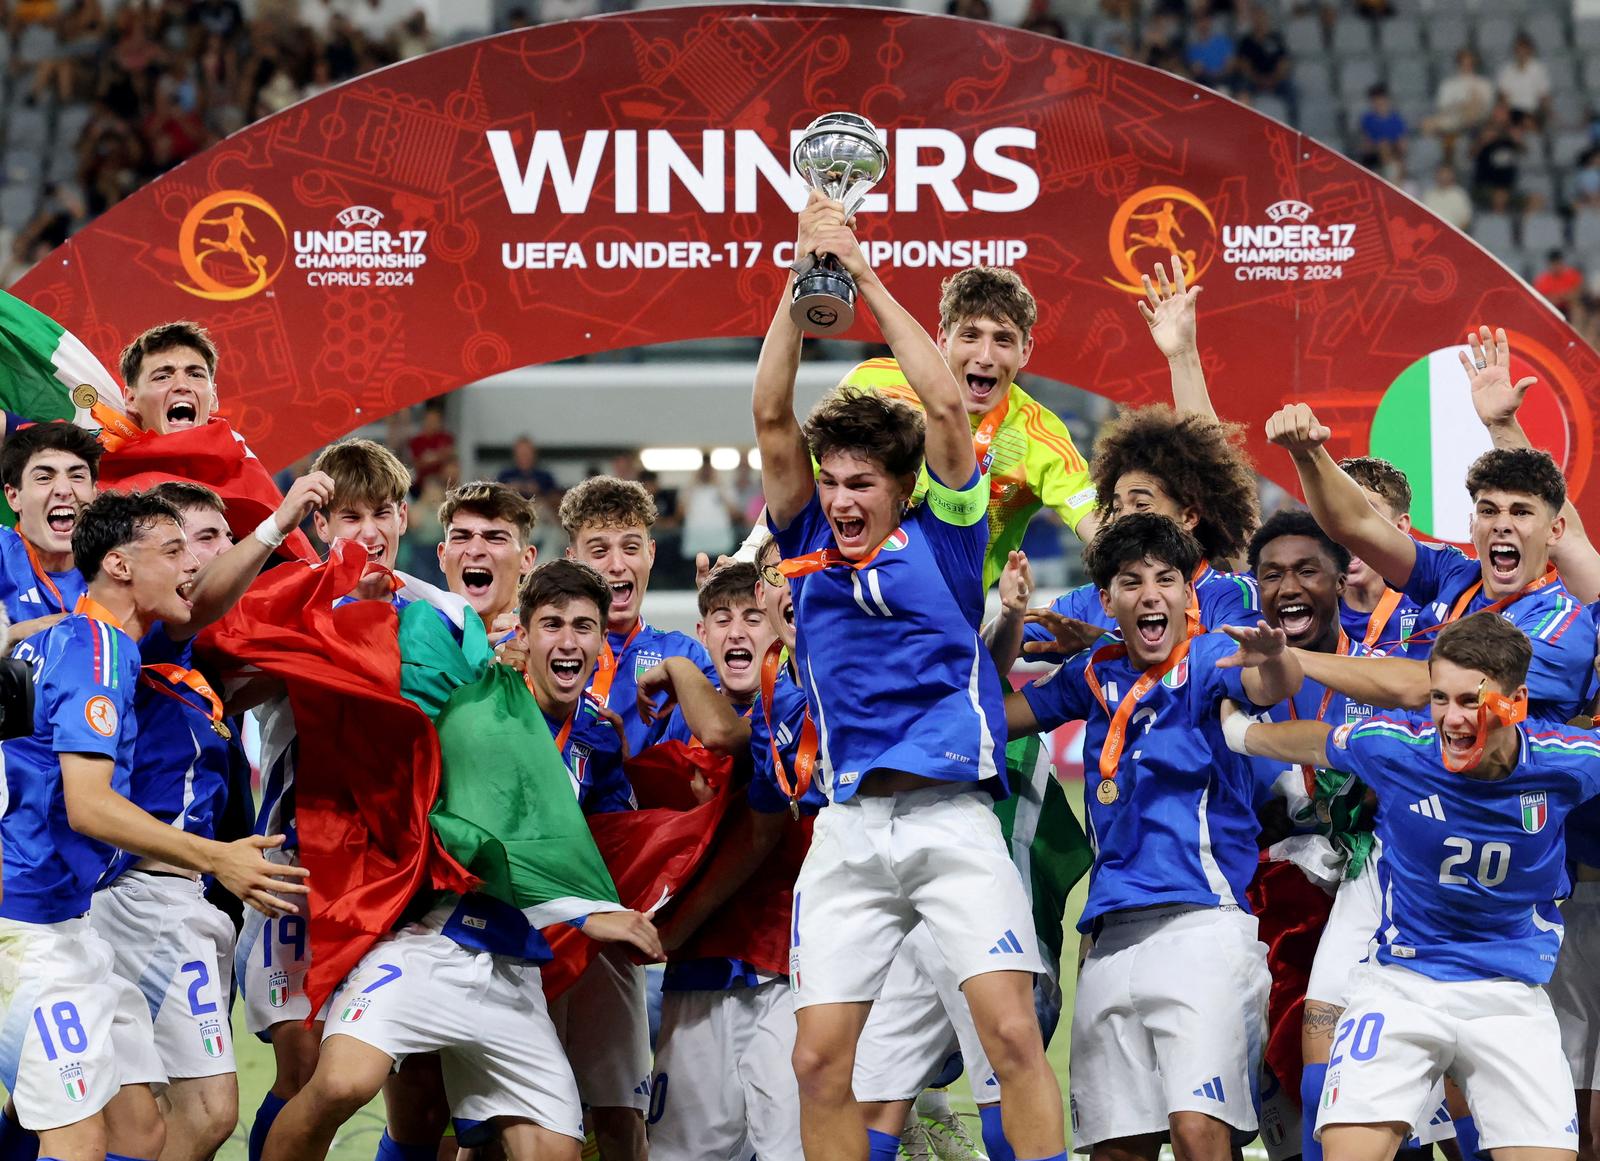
[73, 1032]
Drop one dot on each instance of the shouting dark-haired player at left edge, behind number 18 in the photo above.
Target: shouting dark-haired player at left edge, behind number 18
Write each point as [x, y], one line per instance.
[49, 473]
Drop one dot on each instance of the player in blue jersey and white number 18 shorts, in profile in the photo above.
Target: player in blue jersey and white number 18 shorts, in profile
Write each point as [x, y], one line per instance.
[84, 1037]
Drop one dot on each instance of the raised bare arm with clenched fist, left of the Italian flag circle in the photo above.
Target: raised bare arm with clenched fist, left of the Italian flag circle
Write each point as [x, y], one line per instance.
[1337, 501]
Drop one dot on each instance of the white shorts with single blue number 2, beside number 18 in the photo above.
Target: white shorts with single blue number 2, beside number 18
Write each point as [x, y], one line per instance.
[178, 951]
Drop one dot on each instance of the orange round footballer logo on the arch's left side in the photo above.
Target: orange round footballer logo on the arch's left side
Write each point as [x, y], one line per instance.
[233, 245]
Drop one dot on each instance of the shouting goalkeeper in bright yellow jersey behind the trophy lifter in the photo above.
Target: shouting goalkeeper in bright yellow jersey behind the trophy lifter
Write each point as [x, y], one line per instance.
[986, 337]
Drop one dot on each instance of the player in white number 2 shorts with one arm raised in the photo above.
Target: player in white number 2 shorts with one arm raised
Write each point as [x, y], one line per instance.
[151, 912]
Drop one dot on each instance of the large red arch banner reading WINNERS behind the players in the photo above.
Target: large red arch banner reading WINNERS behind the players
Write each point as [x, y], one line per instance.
[625, 182]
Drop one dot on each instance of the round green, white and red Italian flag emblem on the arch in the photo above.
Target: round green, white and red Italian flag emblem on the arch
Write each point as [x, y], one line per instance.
[1426, 426]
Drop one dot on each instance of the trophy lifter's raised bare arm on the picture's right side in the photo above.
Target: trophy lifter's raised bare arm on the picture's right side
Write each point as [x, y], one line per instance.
[950, 442]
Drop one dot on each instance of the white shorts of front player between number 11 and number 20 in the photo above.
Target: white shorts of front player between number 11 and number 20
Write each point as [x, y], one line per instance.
[1170, 1018]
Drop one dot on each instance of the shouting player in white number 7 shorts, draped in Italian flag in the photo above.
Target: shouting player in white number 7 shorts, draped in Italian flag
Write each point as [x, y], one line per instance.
[463, 979]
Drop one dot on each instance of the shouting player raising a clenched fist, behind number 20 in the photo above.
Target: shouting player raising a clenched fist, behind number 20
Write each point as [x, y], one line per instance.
[1518, 498]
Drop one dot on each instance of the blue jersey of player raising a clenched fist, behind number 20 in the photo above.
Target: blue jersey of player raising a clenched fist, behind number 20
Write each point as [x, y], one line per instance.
[1561, 629]
